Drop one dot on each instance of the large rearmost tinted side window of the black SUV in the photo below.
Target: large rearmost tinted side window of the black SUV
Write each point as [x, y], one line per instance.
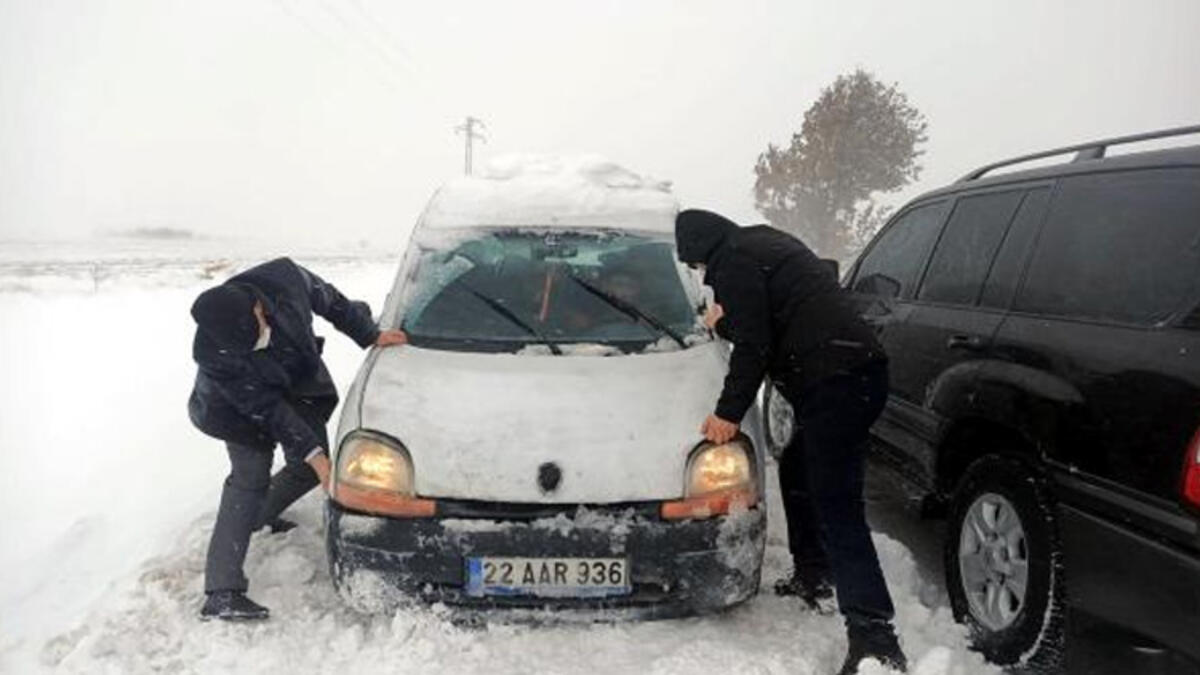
[1123, 248]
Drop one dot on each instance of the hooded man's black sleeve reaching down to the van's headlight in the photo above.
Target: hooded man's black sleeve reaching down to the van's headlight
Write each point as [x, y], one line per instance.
[742, 291]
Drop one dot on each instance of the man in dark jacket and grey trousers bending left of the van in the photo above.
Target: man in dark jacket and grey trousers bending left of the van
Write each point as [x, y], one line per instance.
[262, 383]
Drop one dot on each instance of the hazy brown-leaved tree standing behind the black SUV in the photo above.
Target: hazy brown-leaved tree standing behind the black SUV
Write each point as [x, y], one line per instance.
[861, 139]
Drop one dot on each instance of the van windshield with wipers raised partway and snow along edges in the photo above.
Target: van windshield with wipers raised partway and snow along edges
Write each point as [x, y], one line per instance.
[554, 292]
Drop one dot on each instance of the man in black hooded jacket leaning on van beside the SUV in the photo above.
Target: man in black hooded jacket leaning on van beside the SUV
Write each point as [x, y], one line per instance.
[785, 314]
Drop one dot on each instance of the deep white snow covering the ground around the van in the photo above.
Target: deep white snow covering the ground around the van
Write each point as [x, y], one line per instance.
[110, 495]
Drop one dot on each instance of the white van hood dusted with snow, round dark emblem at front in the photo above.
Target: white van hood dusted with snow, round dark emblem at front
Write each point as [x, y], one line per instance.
[481, 426]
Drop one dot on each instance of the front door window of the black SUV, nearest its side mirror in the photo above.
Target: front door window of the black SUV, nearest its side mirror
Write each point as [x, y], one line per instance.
[892, 266]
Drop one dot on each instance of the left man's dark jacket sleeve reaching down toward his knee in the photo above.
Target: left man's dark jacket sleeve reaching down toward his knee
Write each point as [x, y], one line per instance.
[239, 384]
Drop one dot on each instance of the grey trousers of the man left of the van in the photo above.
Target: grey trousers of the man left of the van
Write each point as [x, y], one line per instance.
[251, 499]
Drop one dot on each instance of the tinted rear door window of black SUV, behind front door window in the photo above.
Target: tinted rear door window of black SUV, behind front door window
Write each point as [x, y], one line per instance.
[967, 249]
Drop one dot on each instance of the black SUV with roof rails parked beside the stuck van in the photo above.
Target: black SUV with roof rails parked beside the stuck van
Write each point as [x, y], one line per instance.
[1045, 337]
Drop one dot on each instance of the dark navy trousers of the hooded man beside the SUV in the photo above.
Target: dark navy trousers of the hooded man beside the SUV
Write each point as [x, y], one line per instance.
[821, 480]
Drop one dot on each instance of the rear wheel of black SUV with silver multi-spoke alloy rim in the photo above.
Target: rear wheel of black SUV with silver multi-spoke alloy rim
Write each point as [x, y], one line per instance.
[1004, 565]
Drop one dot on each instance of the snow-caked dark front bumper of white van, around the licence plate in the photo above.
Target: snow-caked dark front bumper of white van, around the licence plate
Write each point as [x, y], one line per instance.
[677, 569]
